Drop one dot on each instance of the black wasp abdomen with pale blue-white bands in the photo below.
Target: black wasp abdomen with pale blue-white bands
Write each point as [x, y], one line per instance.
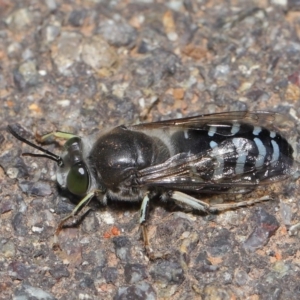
[239, 149]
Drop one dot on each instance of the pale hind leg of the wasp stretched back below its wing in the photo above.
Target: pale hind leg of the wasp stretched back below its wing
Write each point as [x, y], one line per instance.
[205, 207]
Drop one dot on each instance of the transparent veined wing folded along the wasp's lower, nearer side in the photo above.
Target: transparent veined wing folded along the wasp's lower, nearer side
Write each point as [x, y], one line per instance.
[204, 173]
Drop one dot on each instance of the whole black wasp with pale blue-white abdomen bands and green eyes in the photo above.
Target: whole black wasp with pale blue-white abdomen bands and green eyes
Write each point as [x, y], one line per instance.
[231, 152]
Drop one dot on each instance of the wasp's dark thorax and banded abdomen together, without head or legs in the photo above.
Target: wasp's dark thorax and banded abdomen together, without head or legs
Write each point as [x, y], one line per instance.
[227, 155]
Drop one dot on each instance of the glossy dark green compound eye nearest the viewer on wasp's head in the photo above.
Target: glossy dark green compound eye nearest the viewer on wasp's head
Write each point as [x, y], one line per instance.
[78, 179]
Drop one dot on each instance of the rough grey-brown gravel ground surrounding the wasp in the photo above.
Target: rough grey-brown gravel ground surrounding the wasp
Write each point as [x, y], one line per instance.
[78, 66]
